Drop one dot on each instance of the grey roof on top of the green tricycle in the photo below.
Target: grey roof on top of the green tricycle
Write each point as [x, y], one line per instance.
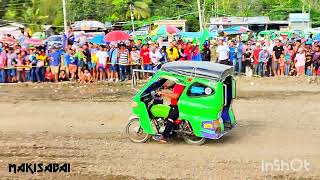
[201, 69]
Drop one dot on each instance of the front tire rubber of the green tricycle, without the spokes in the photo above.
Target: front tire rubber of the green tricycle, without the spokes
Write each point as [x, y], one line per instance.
[144, 136]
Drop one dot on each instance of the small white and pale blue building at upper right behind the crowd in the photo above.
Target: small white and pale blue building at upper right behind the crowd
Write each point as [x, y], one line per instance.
[299, 21]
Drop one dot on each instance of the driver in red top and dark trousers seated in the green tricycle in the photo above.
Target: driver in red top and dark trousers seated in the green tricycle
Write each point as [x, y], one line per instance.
[174, 111]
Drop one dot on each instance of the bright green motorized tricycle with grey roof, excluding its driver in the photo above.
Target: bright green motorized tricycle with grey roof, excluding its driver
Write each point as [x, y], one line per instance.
[205, 105]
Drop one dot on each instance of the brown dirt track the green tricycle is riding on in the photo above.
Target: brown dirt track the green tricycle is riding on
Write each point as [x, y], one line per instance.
[279, 118]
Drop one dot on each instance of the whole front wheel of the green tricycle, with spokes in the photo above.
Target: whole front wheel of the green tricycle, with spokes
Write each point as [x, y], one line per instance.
[135, 132]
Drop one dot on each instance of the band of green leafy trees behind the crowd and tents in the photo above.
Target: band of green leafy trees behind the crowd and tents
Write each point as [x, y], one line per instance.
[50, 11]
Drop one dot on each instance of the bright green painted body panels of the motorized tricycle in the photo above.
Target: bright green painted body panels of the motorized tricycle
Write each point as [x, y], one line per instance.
[193, 109]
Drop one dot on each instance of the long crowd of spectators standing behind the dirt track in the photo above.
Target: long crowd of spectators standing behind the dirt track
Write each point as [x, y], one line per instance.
[86, 62]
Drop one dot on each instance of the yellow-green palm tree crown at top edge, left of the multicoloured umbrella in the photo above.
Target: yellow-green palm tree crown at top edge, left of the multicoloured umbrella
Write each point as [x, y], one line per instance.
[140, 9]
